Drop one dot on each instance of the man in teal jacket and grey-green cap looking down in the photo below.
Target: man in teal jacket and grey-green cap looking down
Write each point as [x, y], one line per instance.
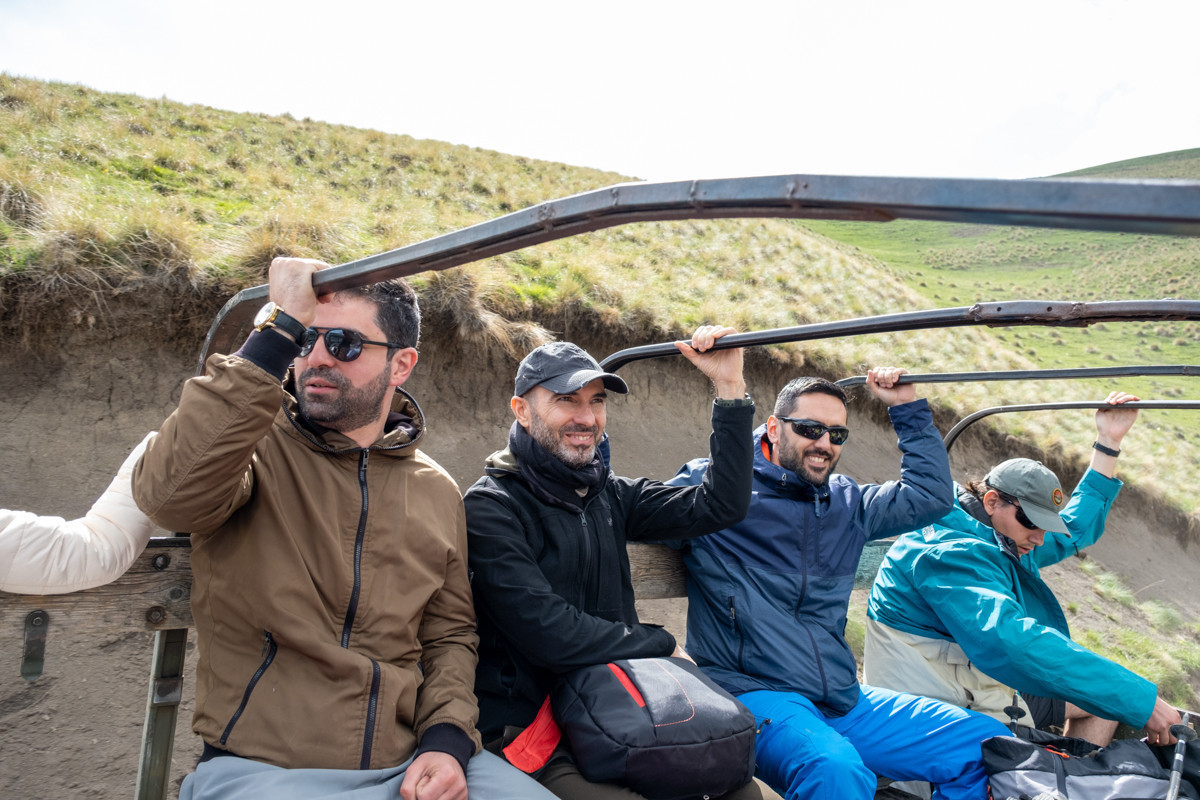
[961, 613]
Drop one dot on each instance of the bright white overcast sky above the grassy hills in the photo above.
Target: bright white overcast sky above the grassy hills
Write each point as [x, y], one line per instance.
[665, 89]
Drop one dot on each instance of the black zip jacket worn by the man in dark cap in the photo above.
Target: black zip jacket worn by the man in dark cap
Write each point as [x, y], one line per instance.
[553, 588]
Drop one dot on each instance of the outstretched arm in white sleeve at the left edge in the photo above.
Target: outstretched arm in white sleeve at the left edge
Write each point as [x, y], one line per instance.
[47, 556]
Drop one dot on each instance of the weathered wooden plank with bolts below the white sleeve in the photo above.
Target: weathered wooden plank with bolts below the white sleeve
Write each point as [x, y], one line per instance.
[153, 596]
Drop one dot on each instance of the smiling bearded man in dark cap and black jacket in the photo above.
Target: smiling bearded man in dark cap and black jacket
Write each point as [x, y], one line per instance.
[547, 530]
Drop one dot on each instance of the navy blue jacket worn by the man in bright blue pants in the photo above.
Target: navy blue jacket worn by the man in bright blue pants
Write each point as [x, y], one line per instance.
[767, 598]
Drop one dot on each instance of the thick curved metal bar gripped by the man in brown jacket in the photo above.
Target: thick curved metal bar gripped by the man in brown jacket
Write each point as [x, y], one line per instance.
[1133, 207]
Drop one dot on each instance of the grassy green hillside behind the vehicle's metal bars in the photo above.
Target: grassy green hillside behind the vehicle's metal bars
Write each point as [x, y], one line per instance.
[113, 196]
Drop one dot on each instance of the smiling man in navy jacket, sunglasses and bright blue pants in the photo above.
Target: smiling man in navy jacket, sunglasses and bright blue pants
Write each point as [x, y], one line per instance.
[769, 600]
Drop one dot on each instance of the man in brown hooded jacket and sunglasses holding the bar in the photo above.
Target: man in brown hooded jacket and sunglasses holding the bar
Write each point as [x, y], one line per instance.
[331, 593]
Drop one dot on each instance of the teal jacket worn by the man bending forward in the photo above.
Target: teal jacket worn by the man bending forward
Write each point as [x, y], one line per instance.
[955, 581]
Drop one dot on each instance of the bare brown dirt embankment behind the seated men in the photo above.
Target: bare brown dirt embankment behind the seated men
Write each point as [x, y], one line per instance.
[75, 408]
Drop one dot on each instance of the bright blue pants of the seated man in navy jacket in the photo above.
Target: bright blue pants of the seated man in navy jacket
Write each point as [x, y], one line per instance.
[803, 754]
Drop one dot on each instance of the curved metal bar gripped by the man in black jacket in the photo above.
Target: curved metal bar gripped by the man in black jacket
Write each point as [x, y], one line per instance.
[994, 315]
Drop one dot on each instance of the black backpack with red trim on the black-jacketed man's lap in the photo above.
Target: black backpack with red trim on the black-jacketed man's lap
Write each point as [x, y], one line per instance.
[658, 726]
